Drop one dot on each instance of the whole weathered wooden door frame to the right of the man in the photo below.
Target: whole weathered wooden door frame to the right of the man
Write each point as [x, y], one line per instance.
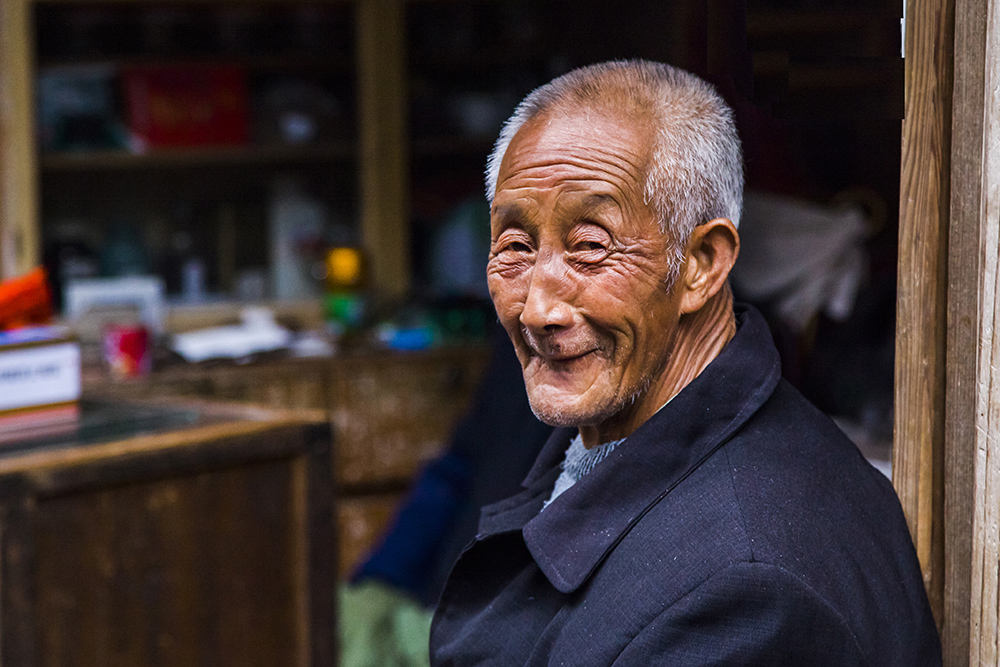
[946, 460]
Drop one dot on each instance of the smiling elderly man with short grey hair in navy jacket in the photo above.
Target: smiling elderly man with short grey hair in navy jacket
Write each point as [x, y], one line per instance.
[694, 509]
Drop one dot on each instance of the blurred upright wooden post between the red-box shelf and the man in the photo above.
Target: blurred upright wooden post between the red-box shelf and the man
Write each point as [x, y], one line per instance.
[383, 168]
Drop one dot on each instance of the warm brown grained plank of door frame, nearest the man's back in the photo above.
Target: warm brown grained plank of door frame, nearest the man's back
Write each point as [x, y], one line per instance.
[918, 452]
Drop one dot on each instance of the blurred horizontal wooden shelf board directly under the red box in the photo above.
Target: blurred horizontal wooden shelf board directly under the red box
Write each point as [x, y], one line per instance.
[111, 160]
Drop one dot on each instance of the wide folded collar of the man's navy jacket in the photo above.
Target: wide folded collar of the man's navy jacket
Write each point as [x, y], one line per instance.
[574, 534]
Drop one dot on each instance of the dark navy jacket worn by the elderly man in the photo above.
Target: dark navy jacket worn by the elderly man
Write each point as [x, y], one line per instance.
[738, 526]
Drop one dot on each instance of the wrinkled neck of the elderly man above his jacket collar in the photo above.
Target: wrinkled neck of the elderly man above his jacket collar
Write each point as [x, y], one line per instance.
[701, 336]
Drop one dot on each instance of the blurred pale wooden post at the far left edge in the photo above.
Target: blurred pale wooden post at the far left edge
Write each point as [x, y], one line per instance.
[20, 243]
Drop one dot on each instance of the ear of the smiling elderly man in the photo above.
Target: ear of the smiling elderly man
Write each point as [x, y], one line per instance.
[710, 255]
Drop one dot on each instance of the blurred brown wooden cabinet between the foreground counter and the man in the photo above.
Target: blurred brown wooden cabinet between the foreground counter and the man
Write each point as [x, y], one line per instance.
[390, 413]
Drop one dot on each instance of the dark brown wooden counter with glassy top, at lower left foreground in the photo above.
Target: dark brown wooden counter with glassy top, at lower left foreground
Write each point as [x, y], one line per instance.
[169, 535]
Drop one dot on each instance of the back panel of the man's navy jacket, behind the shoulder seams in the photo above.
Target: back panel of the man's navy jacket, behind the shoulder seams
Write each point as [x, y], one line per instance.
[811, 505]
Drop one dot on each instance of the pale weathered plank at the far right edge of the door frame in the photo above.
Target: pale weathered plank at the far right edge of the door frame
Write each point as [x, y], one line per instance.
[985, 635]
